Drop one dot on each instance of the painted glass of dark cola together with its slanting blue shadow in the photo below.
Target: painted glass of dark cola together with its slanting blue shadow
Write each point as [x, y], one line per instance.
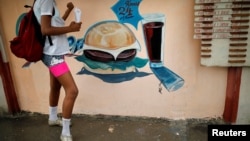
[154, 35]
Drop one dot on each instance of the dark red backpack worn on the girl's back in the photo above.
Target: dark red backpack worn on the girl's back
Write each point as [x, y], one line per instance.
[29, 42]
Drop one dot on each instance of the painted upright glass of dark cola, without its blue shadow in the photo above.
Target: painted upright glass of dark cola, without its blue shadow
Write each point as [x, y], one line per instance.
[154, 33]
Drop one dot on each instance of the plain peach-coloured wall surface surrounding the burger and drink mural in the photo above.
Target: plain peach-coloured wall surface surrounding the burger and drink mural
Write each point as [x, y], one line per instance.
[203, 94]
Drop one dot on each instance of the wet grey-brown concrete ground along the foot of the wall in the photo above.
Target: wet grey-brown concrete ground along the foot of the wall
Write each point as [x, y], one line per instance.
[34, 127]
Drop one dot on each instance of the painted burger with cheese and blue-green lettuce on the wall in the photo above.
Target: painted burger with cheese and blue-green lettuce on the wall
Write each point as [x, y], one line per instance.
[110, 47]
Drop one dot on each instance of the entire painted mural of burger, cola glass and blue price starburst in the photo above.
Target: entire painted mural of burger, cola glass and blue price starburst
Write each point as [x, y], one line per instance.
[108, 50]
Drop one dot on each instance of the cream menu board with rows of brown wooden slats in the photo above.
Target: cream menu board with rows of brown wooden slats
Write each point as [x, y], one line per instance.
[223, 28]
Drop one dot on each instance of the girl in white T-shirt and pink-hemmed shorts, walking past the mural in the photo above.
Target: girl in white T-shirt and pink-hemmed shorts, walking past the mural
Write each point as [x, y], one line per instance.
[60, 76]
